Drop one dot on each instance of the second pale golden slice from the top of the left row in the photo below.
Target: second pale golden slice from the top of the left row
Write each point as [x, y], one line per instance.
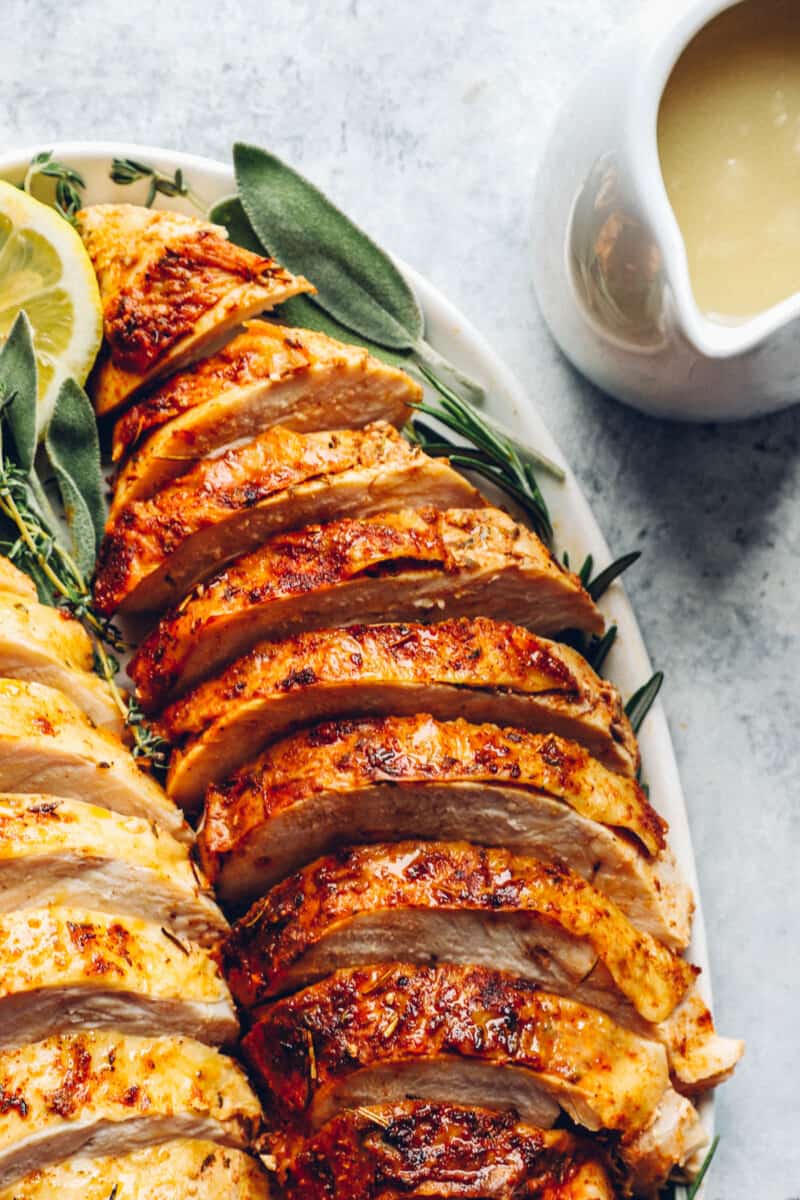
[49, 646]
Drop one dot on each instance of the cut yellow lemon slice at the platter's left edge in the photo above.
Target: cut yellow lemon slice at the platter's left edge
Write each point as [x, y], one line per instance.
[46, 271]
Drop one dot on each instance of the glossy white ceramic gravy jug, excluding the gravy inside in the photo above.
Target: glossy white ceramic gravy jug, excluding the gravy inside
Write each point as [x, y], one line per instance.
[610, 263]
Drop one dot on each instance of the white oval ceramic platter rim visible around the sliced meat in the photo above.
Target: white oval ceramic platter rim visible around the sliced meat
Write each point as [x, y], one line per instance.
[576, 529]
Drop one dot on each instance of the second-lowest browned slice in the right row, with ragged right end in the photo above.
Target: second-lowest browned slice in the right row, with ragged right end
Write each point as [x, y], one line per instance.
[464, 1035]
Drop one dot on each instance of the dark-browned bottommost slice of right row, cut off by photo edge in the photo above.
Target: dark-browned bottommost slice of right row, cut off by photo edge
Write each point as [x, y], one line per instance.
[443, 1153]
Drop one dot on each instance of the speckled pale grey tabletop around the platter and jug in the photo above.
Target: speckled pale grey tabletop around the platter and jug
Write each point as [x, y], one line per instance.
[425, 122]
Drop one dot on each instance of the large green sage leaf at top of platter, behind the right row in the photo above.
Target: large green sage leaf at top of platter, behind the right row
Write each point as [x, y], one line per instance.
[357, 283]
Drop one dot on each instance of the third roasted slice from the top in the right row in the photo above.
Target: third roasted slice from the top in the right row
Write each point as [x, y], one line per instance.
[155, 551]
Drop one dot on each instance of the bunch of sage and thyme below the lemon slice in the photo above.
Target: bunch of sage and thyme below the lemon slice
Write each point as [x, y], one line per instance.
[31, 536]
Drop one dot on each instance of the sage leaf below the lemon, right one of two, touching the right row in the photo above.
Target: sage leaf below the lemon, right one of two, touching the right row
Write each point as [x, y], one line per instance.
[74, 449]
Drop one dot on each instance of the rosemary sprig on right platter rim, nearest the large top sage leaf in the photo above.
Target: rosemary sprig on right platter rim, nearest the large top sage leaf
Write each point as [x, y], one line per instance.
[490, 453]
